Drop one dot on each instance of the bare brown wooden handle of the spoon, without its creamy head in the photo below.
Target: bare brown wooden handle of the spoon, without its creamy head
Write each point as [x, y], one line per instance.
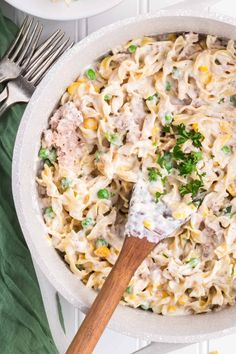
[132, 254]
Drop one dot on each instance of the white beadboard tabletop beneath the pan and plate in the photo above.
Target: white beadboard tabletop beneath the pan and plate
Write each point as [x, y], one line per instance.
[113, 342]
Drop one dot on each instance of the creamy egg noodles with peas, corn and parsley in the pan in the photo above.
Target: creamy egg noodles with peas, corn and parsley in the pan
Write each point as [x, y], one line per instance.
[164, 107]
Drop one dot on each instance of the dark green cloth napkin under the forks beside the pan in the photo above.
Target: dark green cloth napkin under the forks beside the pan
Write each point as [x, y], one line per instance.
[23, 324]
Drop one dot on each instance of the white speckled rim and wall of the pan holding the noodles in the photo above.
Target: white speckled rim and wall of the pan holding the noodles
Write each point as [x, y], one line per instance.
[130, 321]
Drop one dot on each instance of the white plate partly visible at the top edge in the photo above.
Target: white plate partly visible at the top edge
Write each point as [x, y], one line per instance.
[59, 10]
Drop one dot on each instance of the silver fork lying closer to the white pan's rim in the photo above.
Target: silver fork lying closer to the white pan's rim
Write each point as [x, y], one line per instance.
[22, 88]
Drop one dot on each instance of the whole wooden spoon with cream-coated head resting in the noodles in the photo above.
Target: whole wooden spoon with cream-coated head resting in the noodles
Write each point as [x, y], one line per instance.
[143, 210]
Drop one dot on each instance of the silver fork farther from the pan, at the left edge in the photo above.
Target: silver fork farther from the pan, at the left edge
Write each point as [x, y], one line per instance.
[21, 51]
